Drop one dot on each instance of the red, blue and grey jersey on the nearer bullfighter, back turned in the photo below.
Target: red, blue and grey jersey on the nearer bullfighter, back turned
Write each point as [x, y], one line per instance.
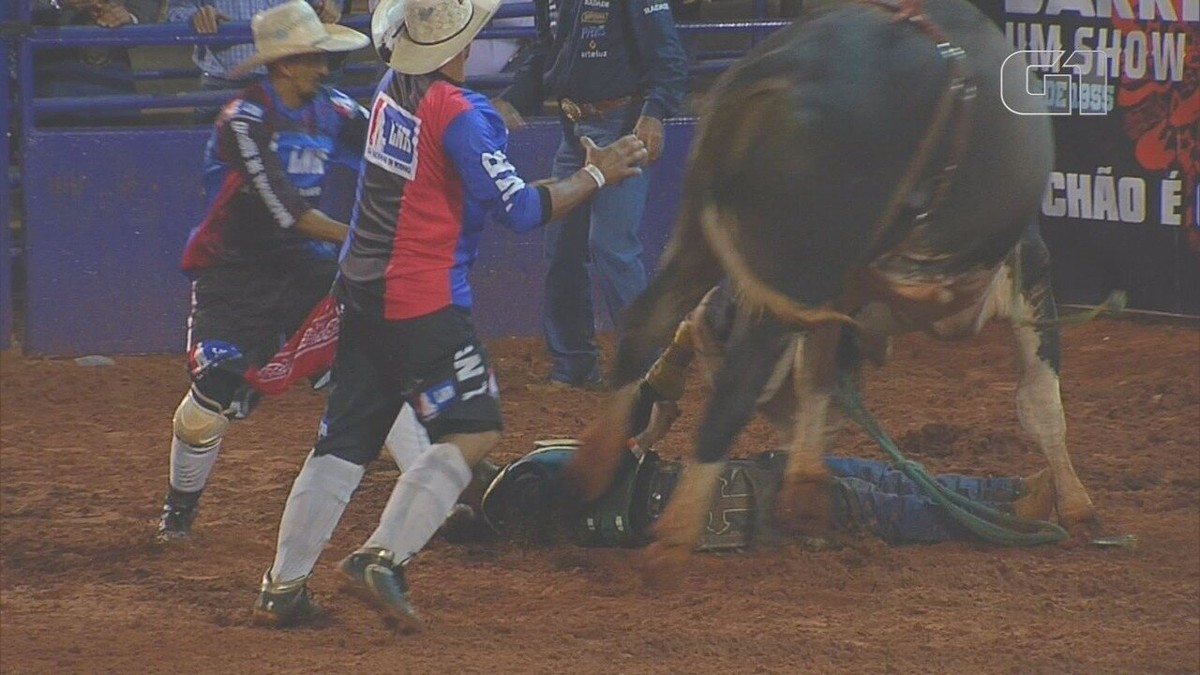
[434, 172]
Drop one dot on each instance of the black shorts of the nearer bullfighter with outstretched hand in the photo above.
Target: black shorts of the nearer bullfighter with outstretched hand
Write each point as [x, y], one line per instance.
[434, 362]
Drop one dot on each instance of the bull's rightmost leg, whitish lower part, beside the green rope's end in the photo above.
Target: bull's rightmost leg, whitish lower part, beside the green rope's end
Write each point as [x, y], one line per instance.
[1039, 402]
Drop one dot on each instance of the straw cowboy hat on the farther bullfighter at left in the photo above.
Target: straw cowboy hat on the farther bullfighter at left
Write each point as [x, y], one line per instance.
[292, 29]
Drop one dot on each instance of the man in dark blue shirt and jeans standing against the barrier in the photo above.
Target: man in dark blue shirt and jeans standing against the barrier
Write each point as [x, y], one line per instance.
[616, 68]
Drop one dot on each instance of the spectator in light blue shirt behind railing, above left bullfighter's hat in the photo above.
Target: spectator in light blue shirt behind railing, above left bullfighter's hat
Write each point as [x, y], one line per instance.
[217, 63]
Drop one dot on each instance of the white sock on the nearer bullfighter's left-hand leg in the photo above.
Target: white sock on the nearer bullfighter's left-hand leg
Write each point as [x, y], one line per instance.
[319, 498]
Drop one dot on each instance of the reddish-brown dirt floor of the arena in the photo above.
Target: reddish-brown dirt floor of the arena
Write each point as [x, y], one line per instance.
[85, 589]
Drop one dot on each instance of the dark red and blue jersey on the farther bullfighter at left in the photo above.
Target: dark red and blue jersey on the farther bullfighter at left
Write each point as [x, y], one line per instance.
[266, 166]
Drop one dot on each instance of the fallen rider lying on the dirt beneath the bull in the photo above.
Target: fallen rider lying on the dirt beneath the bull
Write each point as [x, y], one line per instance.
[867, 495]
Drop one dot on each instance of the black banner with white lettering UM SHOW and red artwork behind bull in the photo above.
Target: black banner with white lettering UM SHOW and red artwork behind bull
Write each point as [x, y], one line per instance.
[1123, 79]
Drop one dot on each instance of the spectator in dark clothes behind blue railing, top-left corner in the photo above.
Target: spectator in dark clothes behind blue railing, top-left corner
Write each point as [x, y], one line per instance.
[88, 71]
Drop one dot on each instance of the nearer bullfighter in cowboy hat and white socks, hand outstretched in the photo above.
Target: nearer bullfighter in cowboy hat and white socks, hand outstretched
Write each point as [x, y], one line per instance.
[435, 171]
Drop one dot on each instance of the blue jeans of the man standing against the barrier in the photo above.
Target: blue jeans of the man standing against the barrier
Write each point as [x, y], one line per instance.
[602, 235]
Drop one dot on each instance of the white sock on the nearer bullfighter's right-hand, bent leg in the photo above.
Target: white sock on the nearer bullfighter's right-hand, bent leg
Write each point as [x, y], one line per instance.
[419, 504]
